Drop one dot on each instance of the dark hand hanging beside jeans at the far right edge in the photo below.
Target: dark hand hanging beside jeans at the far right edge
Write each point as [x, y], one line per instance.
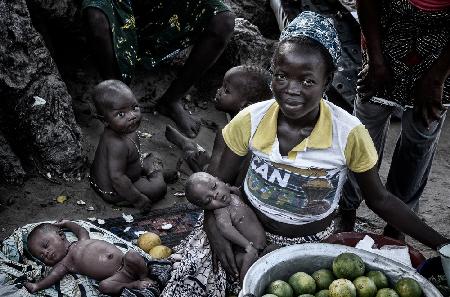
[428, 99]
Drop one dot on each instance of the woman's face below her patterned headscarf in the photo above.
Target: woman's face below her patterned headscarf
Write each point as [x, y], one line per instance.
[299, 79]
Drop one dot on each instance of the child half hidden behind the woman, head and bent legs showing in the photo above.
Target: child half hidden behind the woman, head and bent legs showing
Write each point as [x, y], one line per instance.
[242, 85]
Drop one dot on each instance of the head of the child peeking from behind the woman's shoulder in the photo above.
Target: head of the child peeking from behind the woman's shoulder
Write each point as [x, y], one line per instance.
[243, 85]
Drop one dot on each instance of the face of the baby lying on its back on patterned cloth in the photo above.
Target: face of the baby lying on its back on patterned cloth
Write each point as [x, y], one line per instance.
[49, 247]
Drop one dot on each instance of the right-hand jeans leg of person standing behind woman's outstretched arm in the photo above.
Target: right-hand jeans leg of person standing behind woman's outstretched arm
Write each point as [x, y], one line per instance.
[411, 162]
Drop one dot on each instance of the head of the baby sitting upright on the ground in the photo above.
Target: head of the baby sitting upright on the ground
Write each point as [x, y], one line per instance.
[117, 106]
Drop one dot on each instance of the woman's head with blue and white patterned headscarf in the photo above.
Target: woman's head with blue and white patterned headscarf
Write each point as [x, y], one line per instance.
[303, 64]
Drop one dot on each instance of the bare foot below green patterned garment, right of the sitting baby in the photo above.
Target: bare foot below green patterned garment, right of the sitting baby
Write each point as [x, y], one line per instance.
[187, 124]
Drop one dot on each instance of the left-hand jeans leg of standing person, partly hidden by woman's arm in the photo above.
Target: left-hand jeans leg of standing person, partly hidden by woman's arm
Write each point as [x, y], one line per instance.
[375, 118]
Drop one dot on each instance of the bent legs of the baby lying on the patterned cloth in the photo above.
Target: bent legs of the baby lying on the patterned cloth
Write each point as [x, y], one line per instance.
[132, 275]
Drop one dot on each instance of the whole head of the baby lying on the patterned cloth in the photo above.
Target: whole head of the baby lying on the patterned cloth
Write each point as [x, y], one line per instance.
[48, 243]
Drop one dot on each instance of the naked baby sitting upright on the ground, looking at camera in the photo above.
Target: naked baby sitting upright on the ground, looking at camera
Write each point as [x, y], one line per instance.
[119, 174]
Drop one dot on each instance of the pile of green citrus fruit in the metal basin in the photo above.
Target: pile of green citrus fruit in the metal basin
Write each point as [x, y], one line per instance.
[347, 278]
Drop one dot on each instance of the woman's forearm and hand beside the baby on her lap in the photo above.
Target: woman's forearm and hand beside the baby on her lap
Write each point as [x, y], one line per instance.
[220, 247]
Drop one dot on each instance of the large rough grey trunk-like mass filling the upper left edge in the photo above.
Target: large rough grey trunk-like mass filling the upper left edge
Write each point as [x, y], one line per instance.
[36, 111]
